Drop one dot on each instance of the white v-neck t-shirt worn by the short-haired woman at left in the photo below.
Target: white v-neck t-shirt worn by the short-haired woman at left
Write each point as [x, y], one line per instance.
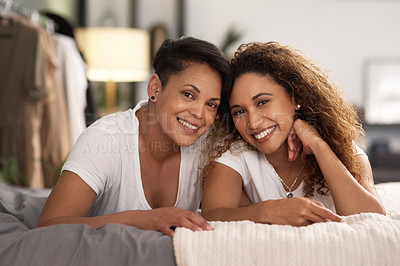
[106, 157]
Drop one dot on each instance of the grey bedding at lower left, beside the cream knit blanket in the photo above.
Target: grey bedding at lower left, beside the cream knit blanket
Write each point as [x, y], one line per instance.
[111, 244]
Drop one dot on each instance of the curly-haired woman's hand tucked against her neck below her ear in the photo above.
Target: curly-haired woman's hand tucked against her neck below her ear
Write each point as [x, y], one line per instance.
[307, 135]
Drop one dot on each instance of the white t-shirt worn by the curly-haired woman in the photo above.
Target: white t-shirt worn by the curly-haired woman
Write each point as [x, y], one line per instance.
[260, 180]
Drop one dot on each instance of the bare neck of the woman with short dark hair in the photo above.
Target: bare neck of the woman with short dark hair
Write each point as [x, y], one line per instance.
[152, 140]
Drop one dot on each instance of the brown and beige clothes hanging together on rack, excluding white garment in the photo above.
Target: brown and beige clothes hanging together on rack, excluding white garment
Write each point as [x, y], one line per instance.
[34, 125]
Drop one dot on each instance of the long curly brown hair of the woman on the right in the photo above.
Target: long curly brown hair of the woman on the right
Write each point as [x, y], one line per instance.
[322, 105]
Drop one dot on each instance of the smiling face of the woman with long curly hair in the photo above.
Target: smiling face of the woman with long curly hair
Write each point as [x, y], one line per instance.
[262, 112]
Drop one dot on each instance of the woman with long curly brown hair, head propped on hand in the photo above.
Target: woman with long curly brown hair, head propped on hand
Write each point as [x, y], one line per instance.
[280, 96]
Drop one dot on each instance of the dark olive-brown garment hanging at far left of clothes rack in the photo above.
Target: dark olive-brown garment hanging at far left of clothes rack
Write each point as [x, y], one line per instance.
[19, 85]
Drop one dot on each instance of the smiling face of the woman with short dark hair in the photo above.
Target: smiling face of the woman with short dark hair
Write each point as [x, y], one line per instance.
[187, 105]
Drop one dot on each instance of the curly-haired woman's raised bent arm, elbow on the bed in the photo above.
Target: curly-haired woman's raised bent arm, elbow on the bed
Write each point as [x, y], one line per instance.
[350, 197]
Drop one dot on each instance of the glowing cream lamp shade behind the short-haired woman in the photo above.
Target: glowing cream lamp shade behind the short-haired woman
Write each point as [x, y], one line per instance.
[115, 54]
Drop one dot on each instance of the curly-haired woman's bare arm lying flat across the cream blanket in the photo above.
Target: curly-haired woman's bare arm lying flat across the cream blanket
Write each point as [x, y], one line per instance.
[222, 198]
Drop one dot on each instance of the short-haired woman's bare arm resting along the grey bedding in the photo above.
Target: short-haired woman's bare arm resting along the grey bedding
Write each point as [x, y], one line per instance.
[71, 200]
